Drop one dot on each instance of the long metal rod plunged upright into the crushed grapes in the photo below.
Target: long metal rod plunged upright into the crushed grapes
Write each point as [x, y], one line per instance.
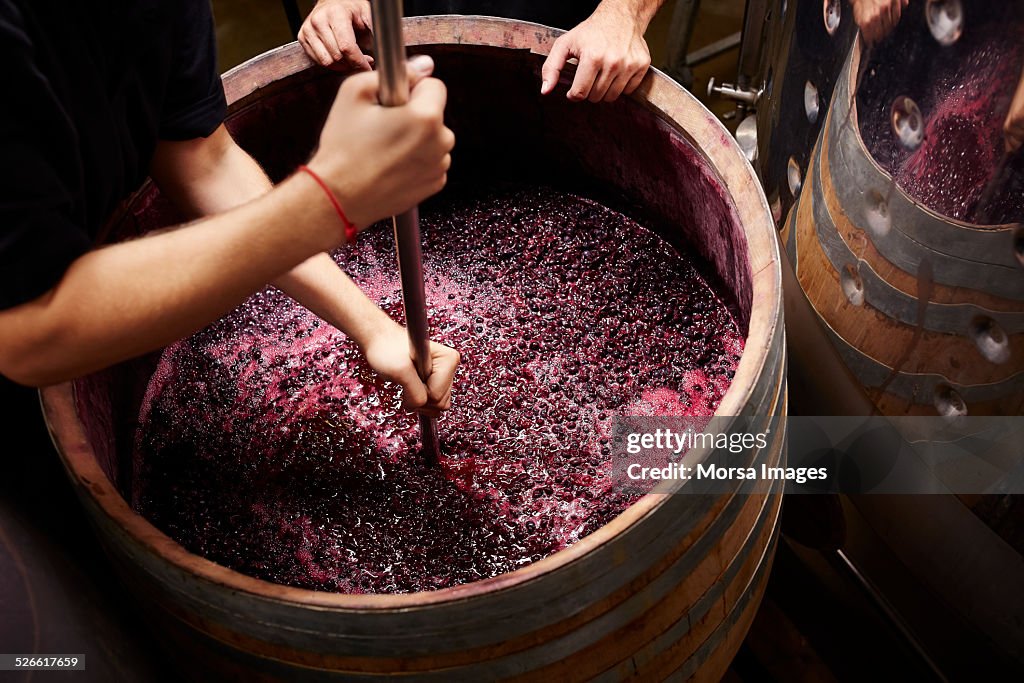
[391, 57]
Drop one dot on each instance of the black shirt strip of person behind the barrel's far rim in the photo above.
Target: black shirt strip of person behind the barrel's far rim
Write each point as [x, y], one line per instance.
[559, 14]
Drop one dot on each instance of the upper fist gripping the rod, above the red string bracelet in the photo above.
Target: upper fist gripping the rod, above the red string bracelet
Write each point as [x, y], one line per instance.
[381, 161]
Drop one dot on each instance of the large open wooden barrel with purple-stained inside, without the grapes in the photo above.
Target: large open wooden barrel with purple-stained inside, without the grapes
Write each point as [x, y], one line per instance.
[666, 590]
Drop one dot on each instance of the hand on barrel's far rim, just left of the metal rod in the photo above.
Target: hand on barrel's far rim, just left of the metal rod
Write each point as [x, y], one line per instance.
[336, 31]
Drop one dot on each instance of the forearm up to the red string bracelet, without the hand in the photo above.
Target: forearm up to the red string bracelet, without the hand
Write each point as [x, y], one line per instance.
[130, 298]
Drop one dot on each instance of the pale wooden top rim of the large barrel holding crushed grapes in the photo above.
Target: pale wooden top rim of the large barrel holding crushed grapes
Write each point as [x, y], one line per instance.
[666, 100]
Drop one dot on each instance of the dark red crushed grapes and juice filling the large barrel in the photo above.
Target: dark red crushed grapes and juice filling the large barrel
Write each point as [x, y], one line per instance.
[267, 445]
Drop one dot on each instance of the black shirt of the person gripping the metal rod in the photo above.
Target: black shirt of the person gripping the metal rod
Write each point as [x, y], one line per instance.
[91, 87]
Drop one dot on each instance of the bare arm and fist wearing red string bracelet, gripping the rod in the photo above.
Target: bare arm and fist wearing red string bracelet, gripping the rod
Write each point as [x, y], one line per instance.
[122, 301]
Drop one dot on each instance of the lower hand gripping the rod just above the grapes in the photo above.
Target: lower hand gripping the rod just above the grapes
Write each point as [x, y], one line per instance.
[389, 354]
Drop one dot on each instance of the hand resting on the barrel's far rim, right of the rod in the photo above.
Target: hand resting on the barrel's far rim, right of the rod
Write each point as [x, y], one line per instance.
[612, 51]
